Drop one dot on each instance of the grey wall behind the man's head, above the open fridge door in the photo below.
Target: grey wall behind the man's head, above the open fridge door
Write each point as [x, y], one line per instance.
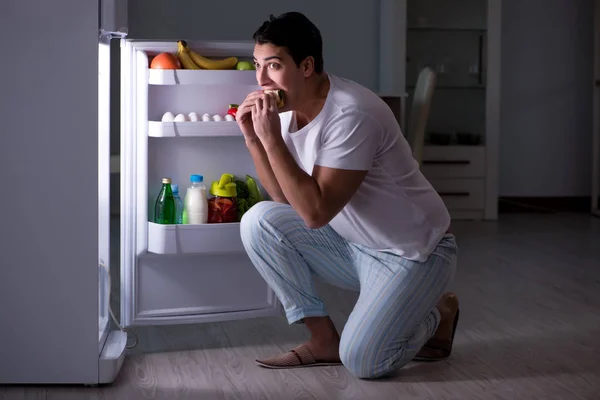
[349, 28]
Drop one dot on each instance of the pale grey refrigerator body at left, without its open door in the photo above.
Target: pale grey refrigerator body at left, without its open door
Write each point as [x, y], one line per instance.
[54, 158]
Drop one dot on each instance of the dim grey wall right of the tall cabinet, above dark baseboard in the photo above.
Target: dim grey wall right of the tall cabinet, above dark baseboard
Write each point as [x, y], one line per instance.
[546, 98]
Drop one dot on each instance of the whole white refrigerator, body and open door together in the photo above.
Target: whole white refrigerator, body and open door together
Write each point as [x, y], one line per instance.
[56, 295]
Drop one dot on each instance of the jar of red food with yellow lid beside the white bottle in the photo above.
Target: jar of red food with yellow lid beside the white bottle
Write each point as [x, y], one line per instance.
[222, 207]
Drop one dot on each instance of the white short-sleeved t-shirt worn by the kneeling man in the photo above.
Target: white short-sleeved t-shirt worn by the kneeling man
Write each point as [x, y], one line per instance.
[395, 207]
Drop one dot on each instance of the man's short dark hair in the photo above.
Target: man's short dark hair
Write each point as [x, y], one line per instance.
[296, 33]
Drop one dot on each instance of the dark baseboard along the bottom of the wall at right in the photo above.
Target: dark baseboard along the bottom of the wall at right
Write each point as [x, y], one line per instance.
[549, 205]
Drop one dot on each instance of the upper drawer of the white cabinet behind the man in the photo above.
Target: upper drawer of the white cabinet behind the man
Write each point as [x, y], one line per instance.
[453, 162]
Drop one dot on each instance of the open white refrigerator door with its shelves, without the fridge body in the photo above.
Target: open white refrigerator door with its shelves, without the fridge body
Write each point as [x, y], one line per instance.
[173, 274]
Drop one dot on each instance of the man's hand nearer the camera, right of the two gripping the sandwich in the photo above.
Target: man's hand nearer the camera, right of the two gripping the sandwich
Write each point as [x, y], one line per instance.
[266, 120]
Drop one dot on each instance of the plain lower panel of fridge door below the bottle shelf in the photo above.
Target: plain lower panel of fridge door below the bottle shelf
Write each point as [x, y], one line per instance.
[179, 289]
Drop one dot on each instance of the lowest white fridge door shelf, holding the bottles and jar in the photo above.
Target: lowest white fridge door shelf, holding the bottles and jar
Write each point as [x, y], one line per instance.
[195, 239]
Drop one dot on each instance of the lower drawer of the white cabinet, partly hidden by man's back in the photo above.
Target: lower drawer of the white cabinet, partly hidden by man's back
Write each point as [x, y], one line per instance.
[461, 194]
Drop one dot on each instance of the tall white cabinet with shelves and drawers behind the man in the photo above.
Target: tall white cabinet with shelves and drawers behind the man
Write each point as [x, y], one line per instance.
[460, 41]
